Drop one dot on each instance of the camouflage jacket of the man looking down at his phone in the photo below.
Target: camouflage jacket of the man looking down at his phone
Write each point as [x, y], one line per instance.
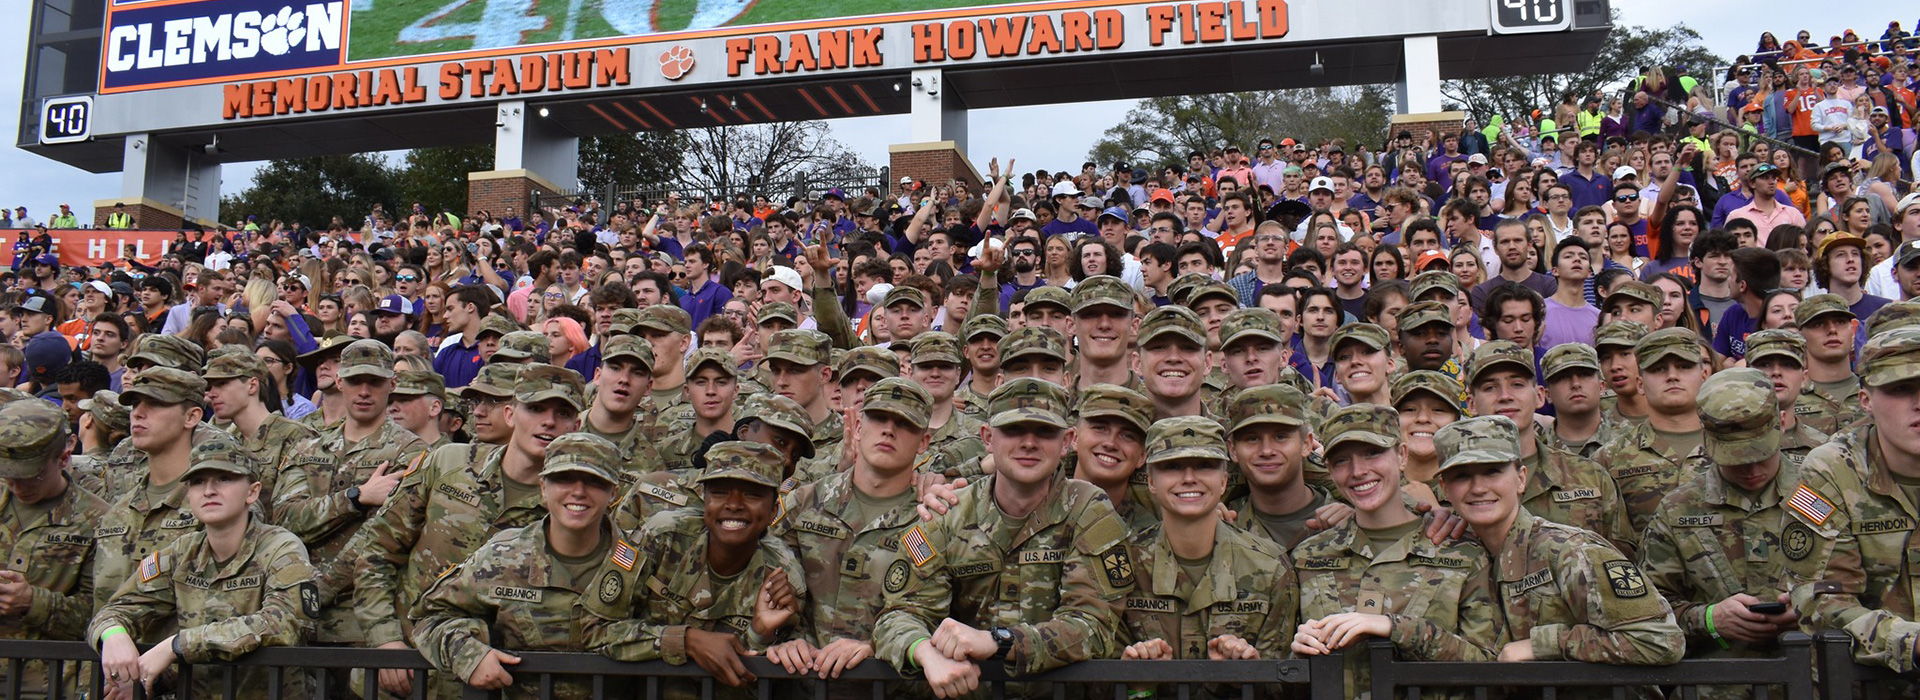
[1712, 542]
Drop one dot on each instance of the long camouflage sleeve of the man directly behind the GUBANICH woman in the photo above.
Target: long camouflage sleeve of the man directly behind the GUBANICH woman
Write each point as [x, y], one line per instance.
[383, 548]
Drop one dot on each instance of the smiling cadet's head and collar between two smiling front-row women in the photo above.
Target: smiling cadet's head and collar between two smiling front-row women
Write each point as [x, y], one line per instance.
[1270, 436]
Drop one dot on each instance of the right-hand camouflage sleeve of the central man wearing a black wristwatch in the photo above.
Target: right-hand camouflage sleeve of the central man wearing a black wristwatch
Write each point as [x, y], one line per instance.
[1093, 586]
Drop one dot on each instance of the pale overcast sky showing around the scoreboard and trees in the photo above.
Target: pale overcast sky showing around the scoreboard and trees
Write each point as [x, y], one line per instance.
[1024, 133]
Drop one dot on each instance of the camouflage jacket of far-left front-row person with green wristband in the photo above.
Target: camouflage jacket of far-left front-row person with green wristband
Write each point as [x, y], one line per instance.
[260, 597]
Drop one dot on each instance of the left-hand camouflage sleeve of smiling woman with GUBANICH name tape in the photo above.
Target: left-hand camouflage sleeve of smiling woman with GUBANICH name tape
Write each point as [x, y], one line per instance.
[452, 632]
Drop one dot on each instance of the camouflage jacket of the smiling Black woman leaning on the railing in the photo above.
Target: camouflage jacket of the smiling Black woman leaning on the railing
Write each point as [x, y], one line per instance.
[669, 590]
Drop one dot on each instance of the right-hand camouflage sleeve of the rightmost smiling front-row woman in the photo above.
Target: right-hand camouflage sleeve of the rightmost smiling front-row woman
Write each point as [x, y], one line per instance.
[1627, 620]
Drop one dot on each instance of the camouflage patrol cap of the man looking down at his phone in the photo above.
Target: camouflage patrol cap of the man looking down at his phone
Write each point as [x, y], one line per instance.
[1739, 417]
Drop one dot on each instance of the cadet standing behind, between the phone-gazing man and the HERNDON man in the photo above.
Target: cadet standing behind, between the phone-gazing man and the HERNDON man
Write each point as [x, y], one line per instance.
[1833, 396]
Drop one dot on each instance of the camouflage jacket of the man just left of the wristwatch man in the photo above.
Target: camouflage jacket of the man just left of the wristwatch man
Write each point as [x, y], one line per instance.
[848, 563]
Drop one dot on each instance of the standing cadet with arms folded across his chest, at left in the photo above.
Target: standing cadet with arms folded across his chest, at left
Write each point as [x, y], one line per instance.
[343, 477]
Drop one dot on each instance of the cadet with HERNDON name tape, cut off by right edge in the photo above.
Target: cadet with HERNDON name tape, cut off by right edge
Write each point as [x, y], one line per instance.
[1860, 496]
